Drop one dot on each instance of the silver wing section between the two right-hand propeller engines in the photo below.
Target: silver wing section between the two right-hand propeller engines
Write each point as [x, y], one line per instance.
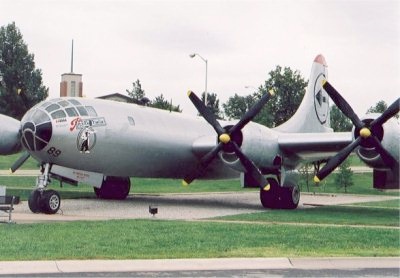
[310, 147]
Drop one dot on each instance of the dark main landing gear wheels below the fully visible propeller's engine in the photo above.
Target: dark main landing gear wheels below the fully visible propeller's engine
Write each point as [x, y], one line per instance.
[278, 197]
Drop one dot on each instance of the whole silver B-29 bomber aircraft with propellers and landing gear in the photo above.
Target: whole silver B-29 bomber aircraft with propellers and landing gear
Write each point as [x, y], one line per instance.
[104, 143]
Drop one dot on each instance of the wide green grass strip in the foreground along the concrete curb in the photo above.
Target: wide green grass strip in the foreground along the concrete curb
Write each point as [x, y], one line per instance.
[151, 239]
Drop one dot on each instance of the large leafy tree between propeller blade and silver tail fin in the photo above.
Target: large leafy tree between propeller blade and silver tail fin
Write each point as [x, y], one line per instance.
[289, 87]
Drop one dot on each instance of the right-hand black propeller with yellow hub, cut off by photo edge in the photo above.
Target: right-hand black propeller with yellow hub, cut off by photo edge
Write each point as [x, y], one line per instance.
[367, 134]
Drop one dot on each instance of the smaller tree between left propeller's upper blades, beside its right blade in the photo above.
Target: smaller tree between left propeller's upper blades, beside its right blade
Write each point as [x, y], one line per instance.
[237, 106]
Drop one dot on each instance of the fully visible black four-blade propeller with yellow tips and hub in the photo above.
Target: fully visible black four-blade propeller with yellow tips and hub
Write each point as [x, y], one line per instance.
[226, 140]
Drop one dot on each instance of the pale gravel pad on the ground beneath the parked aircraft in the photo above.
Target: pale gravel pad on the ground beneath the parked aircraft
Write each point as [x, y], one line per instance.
[193, 206]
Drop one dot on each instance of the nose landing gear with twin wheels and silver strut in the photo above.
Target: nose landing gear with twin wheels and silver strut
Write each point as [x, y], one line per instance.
[41, 200]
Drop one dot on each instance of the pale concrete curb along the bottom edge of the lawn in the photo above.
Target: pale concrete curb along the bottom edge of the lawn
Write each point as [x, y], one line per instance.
[120, 266]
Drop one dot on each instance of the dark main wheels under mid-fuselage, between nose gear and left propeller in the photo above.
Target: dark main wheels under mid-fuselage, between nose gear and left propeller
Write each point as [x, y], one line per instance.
[114, 188]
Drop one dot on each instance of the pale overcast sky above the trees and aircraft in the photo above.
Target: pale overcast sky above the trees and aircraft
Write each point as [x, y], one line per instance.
[117, 42]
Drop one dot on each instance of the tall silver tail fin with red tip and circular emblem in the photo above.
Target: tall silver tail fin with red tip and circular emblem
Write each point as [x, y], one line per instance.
[313, 112]
